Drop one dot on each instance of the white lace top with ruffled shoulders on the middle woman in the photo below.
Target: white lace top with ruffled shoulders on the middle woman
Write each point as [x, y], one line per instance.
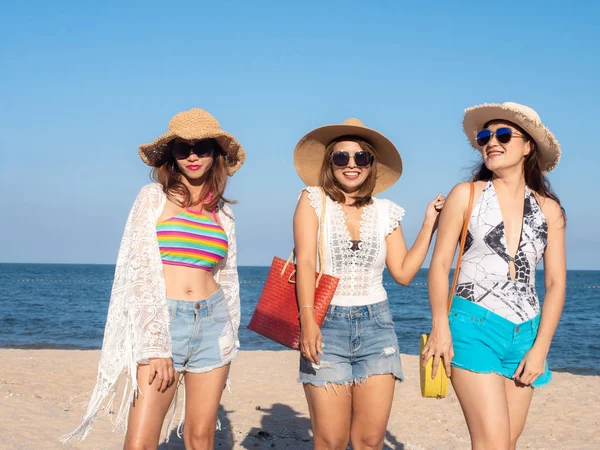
[360, 270]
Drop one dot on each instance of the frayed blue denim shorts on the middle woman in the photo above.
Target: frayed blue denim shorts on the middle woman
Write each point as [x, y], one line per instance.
[358, 341]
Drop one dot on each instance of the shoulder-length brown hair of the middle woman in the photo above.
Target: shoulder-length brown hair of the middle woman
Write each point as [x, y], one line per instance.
[333, 188]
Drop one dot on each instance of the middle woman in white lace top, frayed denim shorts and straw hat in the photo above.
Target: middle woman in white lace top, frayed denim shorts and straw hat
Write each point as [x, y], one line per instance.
[350, 163]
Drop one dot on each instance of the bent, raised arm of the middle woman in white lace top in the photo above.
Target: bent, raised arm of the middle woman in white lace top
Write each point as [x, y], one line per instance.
[402, 263]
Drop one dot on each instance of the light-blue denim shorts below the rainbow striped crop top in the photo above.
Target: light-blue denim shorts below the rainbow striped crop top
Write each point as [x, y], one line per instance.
[202, 336]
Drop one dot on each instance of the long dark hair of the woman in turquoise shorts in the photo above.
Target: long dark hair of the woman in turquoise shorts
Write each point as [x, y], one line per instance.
[534, 177]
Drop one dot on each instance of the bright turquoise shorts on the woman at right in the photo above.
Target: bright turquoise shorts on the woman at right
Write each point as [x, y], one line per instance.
[485, 342]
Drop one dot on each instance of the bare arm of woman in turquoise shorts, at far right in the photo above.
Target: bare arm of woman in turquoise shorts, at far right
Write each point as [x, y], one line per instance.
[555, 279]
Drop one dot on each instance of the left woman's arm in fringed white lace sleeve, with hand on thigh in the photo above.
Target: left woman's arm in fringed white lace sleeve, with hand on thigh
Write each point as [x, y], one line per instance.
[137, 325]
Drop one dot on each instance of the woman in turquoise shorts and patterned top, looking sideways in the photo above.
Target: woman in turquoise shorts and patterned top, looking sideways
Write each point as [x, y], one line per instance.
[496, 338]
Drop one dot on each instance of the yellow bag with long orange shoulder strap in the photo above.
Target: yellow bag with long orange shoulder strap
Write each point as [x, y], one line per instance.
[438, 387]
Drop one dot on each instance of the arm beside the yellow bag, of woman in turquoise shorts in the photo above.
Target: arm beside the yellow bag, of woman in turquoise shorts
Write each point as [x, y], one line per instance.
[439, 344]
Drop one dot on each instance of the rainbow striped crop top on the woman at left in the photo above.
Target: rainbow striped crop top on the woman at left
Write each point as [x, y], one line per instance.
[191, 239]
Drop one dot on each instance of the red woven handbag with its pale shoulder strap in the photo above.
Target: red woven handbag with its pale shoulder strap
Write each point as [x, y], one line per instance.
[276, 314]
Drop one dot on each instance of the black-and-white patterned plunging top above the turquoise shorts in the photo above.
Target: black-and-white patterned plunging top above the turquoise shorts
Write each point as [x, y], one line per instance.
[485, 277]
